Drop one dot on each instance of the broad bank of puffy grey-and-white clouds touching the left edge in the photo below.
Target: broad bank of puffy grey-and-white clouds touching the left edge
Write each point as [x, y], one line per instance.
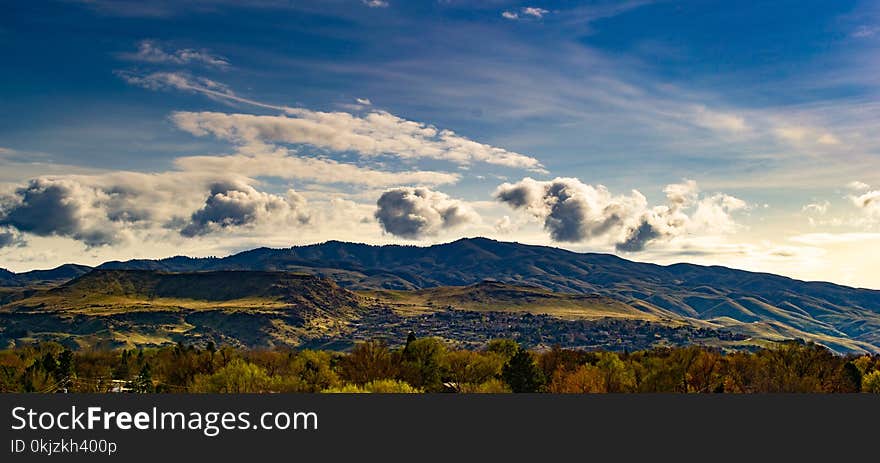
[114, 208]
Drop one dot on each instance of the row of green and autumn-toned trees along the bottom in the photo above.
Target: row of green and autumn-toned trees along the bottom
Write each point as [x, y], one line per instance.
[429, 365]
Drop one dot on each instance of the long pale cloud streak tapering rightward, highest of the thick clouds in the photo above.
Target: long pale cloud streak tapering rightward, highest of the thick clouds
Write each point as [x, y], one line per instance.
[375, 134]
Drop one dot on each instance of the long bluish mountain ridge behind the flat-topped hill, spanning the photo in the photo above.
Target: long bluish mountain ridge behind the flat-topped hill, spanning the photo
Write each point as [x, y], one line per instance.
[757, 305]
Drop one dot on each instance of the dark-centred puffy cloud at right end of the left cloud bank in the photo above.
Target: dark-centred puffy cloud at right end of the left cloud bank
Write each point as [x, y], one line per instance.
[235, 204]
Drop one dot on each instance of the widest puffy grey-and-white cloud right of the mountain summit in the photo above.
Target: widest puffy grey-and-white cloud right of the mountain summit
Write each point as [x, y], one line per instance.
[575, 212]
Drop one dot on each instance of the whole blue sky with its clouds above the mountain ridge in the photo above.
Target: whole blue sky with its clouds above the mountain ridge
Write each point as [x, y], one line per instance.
[730, 133]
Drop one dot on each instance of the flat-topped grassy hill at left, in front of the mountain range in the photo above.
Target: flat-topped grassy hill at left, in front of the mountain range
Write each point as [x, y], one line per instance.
[138, 307]
